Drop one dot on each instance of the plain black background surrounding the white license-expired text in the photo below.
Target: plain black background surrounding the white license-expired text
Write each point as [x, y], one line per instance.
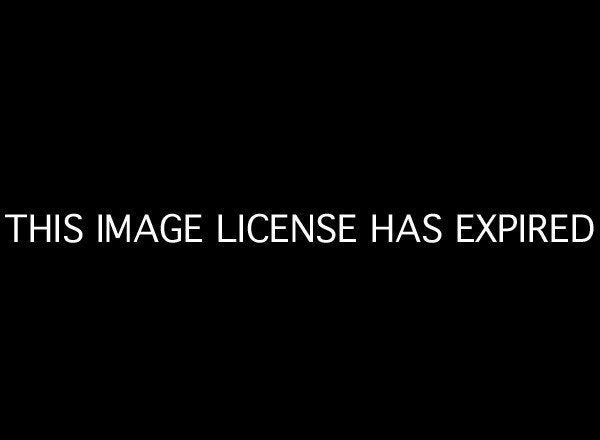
[368, 113]
